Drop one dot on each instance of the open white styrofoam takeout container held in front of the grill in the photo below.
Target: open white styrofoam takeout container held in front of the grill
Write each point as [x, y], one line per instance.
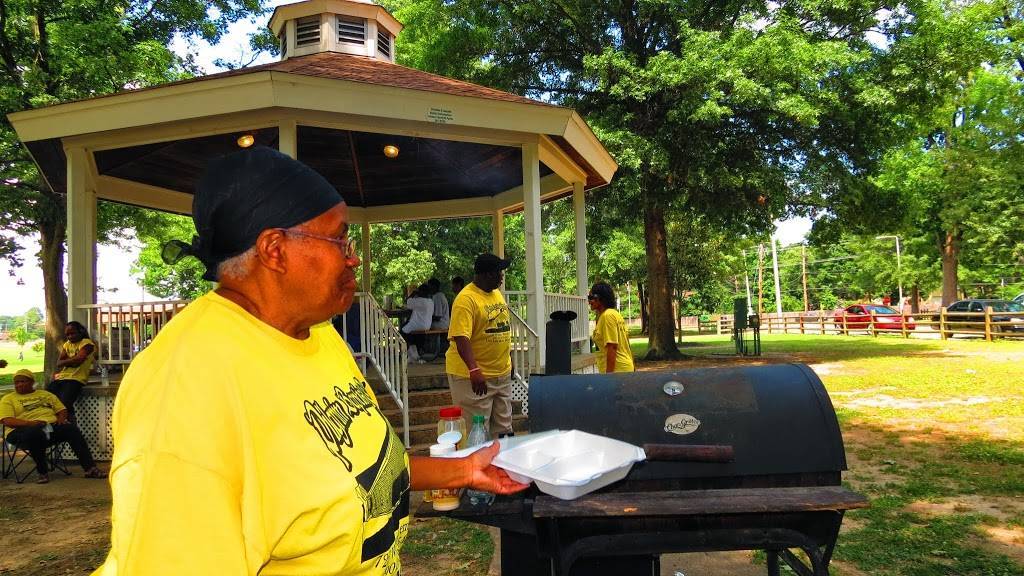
[568, 465]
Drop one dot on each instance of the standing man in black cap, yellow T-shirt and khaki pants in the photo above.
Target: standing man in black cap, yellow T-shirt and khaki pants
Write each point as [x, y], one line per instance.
[480, 365]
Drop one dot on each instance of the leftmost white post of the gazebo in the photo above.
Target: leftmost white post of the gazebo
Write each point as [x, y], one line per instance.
[81, 208]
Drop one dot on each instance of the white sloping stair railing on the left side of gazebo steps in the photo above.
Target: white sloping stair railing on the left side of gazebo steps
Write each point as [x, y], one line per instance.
[383, 347]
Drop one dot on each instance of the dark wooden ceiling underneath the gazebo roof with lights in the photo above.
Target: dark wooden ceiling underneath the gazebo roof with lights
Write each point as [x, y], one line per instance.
[426, 170]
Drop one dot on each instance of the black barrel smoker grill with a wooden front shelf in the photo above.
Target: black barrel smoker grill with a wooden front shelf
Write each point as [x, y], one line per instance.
[780, 492]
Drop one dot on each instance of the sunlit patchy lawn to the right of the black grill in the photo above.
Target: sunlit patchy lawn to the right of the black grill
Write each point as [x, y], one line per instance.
[926, 422]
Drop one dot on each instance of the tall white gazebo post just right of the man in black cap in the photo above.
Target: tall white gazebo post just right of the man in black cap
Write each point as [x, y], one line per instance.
[535, 260]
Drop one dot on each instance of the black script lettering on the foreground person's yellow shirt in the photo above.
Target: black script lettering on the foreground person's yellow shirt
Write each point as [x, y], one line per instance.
[333, 419]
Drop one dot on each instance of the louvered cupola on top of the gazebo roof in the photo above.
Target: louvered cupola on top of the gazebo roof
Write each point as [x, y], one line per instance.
[352, 27]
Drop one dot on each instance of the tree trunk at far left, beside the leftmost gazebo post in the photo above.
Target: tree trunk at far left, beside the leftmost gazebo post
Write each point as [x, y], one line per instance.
[52, 237]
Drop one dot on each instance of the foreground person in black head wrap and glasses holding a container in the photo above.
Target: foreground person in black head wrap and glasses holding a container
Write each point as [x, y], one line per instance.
[247, 441]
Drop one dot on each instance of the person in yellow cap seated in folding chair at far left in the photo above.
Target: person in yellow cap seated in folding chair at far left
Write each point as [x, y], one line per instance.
[35, 421]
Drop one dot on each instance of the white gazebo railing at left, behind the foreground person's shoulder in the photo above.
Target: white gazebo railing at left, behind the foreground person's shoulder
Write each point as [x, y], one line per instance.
[121, 332]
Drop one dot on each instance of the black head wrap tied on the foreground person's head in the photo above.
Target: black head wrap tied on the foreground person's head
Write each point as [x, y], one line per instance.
[245, 193]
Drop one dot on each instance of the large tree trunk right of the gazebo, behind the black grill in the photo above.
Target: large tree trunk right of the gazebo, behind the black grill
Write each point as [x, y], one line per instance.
[662, 338]
